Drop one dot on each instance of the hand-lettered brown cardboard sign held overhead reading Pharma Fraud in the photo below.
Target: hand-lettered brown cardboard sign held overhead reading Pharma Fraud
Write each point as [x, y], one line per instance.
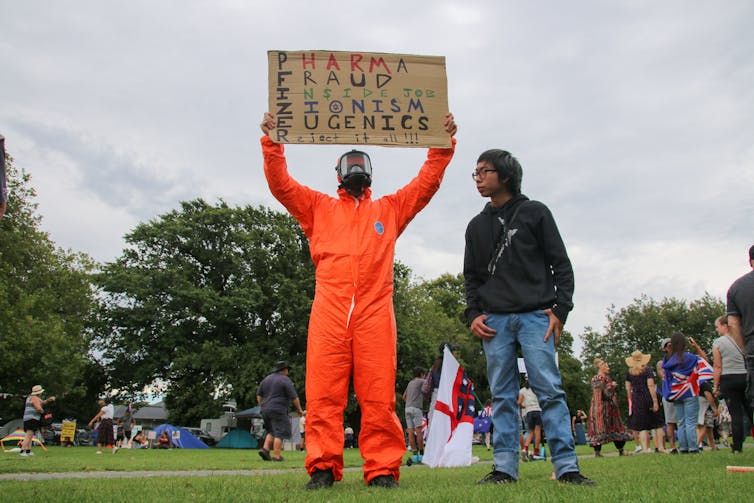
[353, 98]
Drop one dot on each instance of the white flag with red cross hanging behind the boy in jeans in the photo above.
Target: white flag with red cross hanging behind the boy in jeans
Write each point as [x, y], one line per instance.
[452, 426]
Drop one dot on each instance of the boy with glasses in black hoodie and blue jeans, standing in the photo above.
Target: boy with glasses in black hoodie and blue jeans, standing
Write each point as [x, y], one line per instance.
[519, 289]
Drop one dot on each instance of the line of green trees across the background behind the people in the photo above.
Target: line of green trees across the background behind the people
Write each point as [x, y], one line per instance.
[205, 298]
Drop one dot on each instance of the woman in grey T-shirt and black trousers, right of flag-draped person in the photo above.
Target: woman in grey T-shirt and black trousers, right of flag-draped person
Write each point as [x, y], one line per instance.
[729, 382]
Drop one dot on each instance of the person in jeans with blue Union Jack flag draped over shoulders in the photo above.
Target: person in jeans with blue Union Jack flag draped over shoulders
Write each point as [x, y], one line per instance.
[683, 372]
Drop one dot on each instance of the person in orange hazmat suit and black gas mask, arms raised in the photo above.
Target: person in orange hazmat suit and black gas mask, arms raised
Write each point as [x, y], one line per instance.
[352, 324]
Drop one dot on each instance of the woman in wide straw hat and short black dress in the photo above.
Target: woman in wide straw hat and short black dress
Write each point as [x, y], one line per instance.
[644, 414]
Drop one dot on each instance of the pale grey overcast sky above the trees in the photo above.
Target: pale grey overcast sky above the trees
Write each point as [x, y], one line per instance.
[633, 121]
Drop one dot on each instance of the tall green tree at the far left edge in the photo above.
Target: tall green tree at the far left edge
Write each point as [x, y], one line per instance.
[46, 302]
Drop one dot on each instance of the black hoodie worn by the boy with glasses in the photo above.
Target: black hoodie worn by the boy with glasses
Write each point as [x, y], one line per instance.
[532, 270]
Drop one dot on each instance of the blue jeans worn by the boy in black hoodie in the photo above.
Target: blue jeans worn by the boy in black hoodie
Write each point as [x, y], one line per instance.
[528, 330]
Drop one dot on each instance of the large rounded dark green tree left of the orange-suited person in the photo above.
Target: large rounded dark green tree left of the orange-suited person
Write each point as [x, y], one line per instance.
[205, 299]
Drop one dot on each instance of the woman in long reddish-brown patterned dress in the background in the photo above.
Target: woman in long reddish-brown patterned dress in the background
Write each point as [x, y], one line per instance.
[605, 424]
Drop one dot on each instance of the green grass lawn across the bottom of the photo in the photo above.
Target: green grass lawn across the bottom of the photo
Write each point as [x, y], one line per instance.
[621, 479]
